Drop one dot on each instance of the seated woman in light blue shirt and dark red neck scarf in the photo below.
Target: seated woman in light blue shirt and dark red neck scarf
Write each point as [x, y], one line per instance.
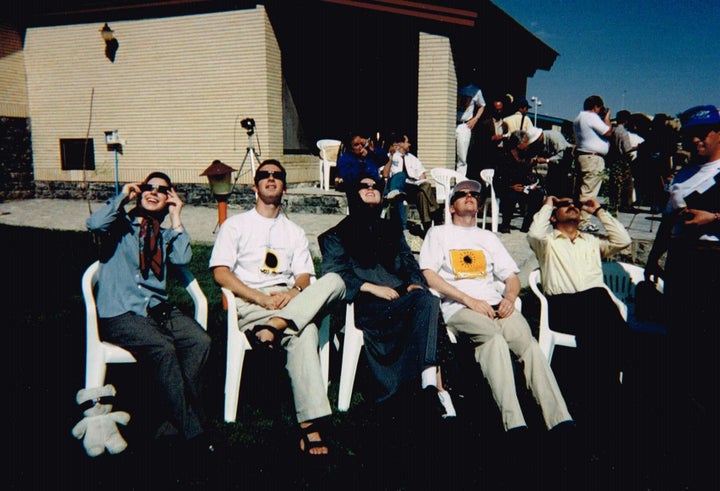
[132, 300]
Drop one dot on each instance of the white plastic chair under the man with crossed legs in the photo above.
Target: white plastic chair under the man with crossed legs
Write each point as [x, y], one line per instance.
[237, 344]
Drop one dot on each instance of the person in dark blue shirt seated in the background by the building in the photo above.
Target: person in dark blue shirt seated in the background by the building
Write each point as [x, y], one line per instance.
[360, 157]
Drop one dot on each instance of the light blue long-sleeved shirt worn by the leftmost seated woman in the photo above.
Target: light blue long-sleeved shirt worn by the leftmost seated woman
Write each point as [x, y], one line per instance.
[121, 286]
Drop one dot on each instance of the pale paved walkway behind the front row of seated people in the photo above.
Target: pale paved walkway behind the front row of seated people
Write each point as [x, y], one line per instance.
[201, 223]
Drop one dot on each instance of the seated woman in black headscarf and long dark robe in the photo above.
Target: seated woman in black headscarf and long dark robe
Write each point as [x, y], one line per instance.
[393, 305]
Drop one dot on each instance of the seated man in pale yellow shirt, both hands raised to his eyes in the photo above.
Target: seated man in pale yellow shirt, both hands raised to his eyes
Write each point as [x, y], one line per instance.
[580, 304]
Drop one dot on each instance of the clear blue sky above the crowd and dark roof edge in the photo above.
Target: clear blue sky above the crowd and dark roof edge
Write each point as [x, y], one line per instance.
[645, 56]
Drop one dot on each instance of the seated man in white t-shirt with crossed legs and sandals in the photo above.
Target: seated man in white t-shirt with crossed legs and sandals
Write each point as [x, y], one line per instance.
[264, 259]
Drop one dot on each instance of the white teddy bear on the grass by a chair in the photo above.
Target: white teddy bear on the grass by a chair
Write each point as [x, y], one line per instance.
[99, 424]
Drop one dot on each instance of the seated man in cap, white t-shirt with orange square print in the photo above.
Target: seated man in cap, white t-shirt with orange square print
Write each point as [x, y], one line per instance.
[462, 263]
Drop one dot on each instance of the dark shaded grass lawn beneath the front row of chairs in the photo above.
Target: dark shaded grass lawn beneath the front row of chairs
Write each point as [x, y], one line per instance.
[372, 447]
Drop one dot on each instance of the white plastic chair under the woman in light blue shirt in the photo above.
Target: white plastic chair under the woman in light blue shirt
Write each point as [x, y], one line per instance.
[100, 353]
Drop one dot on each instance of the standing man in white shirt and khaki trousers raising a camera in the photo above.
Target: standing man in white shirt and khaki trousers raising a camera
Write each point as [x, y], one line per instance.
[592, 132]
